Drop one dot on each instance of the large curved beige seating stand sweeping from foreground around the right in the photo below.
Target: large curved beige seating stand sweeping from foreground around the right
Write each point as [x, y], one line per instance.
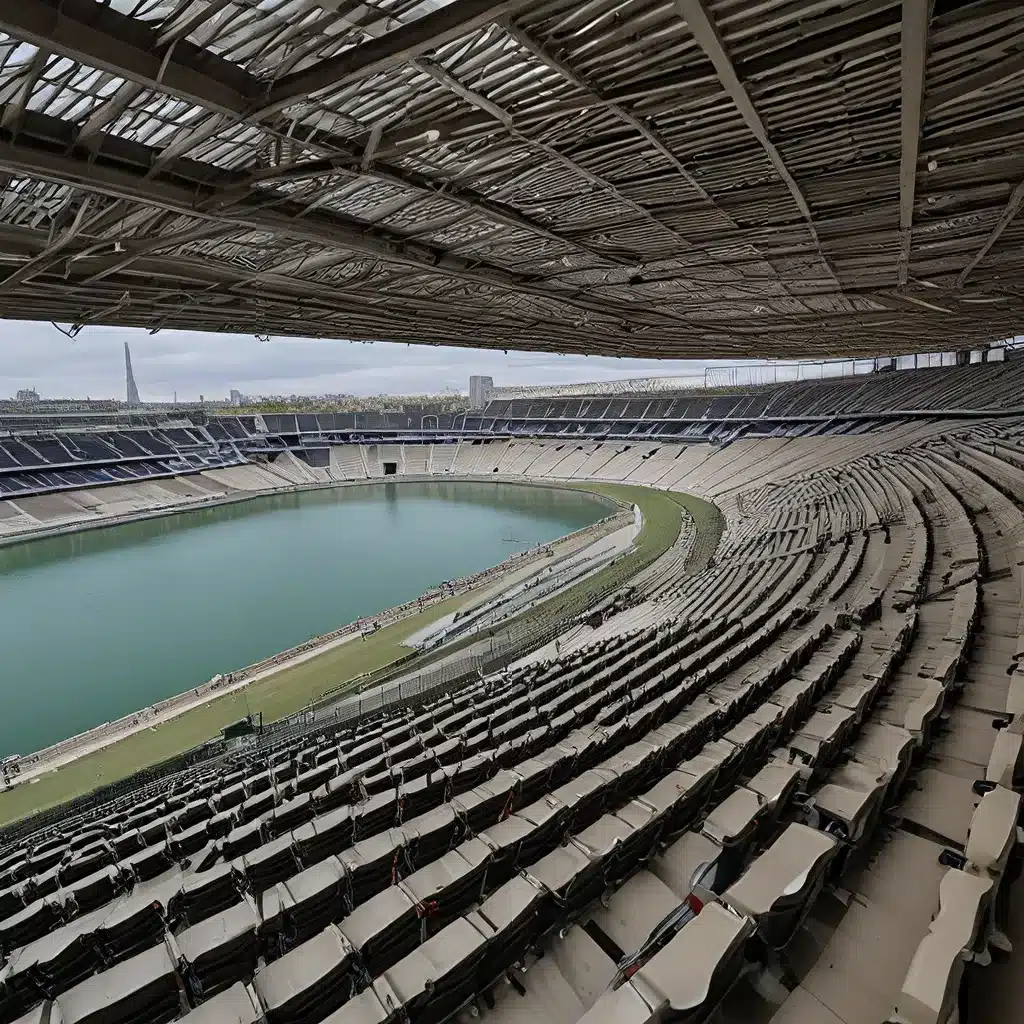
[785, 787]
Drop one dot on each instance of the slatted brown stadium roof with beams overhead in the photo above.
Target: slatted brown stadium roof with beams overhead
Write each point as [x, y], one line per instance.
[633, 178]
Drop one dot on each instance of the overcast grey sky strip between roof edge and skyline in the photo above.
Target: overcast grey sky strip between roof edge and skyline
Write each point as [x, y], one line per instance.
[37, 356]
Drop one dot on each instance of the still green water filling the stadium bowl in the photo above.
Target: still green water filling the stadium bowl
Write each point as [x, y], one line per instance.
[97, 625]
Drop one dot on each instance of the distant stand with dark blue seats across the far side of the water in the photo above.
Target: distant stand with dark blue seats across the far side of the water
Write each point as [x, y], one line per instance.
[505, 439]
